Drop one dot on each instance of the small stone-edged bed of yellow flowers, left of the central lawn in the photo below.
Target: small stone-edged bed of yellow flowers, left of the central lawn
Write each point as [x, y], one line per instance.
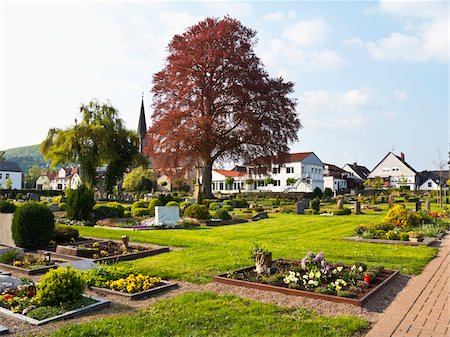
[124, 282]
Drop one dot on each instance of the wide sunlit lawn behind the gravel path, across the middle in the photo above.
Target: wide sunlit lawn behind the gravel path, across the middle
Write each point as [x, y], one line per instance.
[210, 251]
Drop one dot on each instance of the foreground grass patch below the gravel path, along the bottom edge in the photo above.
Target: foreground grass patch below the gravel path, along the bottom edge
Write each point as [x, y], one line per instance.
[209, 314]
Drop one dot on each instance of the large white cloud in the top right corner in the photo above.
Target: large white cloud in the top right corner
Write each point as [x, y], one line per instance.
[425, 36]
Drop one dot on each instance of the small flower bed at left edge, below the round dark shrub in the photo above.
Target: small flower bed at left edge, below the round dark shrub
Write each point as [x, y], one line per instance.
[29, 263]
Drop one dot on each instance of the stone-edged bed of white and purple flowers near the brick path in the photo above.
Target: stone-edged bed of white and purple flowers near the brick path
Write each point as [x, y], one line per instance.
[315, 278]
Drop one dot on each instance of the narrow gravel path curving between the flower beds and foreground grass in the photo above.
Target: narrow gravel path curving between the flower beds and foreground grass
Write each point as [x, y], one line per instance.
[371, 311]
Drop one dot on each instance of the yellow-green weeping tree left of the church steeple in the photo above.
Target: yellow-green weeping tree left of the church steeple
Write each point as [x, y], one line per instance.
[98, 139]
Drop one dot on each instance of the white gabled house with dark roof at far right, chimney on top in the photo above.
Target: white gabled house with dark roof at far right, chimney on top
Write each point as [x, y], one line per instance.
[395, 171]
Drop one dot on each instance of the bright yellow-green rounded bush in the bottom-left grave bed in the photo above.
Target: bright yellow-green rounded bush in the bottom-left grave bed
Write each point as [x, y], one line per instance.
[60, 285]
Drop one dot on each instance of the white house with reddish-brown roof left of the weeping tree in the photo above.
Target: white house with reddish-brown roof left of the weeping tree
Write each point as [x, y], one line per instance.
[65, 177]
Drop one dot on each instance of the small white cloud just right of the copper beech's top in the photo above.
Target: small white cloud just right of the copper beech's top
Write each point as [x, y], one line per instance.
[307, 33]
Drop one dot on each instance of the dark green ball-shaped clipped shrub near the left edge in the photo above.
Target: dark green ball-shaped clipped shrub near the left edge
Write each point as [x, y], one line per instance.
[33, 225]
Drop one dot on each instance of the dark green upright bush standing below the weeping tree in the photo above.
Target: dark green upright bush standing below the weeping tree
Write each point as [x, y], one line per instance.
[80, 203]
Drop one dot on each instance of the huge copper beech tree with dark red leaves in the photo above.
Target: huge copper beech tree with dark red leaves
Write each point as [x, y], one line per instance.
[213, 101]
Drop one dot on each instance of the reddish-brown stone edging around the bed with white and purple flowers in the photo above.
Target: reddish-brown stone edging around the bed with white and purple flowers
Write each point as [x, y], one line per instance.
[266, 287]
